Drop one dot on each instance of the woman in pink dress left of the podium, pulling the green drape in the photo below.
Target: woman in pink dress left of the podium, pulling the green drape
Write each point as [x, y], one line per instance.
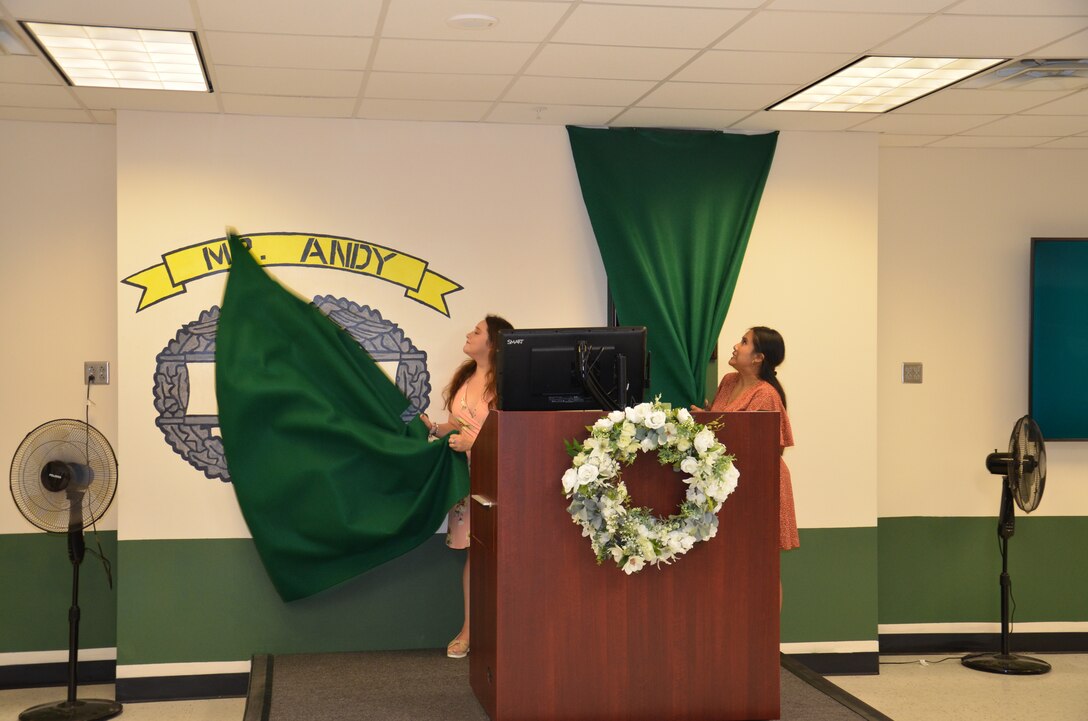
[468, 399]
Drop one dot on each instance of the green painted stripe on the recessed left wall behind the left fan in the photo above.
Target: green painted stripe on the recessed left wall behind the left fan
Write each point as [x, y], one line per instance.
[36, 593]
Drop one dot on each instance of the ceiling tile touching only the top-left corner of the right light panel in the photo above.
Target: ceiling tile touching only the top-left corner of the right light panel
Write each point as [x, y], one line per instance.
[808, 32]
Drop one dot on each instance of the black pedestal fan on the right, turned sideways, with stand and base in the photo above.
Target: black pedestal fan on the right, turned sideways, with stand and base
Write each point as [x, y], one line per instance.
[1024, 469]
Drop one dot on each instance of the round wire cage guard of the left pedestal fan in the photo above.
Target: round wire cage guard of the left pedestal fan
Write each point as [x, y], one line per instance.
[72, 442]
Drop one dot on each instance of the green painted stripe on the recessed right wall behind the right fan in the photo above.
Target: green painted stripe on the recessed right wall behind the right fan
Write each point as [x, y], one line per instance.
[946, 570]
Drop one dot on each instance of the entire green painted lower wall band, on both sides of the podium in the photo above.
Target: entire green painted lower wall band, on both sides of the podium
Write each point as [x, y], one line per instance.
[211, 601]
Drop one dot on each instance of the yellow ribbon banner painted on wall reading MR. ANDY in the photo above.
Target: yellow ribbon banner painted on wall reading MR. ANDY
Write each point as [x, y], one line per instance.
[192, 264]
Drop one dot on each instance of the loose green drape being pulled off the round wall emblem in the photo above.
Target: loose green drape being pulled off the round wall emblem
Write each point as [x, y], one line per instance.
[330, 480]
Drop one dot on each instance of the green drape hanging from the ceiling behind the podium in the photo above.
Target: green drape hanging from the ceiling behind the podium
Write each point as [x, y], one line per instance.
[673, 212]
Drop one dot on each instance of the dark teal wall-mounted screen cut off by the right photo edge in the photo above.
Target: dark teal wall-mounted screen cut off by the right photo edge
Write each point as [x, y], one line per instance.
[1058, 386]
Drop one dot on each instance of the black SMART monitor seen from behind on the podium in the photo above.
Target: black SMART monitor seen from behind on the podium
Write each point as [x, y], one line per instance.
[572, 369]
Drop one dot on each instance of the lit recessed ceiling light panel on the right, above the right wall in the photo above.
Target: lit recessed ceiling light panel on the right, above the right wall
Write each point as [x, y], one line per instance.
[876, 85]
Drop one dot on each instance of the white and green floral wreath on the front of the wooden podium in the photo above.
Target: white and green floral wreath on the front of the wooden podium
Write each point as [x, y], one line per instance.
[635, 538]
